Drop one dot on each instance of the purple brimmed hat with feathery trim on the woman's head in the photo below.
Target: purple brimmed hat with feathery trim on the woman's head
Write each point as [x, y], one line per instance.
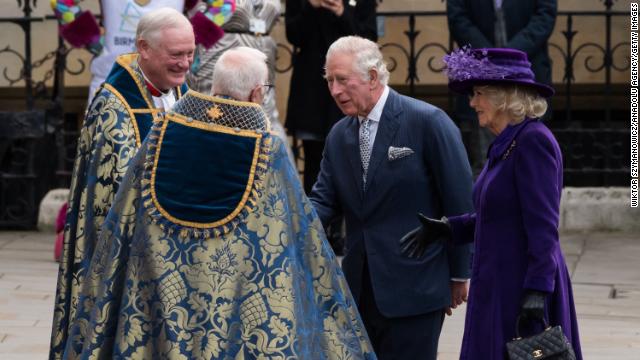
[468, 67]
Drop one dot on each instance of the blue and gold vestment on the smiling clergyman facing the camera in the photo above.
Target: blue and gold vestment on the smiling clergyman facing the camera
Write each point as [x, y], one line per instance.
[116, 122]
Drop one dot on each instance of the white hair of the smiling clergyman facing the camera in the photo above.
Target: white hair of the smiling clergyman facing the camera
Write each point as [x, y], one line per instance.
[152, 23]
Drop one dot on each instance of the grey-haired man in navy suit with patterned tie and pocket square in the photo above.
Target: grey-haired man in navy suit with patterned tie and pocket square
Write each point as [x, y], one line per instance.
[390, 158]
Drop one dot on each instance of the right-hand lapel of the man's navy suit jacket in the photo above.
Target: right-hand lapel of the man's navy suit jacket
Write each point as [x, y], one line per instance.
[387, 128]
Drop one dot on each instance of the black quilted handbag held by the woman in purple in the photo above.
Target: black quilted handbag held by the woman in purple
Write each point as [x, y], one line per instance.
[549, 344]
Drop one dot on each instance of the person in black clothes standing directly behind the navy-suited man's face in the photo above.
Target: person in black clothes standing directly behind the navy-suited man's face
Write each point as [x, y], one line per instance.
[311, 26]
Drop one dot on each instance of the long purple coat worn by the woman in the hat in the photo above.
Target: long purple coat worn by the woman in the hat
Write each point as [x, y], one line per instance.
[515, 229]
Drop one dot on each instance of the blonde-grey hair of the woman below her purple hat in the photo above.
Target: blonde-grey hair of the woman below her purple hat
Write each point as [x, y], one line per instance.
[516, 101]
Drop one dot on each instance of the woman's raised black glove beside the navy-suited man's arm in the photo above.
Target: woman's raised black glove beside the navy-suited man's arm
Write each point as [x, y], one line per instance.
[416, 241]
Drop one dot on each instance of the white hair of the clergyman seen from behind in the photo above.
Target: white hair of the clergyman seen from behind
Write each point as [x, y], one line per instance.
[238, 71]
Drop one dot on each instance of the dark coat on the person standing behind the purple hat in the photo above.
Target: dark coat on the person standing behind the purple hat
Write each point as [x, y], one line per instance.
[529, 24]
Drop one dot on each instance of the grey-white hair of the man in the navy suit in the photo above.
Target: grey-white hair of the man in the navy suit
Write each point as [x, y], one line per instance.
[366, 53]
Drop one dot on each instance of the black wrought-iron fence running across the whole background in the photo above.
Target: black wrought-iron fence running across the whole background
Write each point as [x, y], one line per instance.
[37, 146]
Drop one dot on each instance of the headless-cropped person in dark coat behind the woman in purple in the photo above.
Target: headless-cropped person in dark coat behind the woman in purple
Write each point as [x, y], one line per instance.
[519, 24]
